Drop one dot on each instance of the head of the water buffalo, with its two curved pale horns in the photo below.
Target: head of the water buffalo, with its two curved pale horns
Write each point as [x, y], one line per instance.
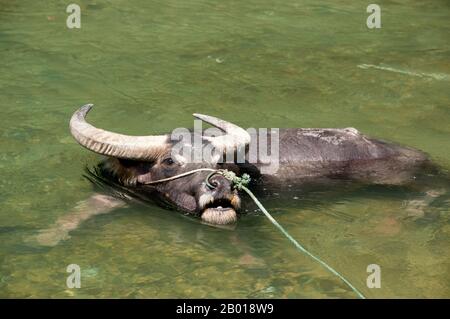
[136, 161]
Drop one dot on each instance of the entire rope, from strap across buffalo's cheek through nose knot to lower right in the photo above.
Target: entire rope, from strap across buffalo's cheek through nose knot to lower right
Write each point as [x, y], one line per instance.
[240, 183]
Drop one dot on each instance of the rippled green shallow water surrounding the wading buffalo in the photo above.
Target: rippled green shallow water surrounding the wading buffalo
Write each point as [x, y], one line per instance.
[148, 65]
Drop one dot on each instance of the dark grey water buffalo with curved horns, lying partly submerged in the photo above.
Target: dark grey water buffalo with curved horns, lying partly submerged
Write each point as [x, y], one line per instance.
[305, 155]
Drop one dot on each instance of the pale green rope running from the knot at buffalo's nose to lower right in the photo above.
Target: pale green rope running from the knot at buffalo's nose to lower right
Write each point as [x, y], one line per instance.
[241, 183]
